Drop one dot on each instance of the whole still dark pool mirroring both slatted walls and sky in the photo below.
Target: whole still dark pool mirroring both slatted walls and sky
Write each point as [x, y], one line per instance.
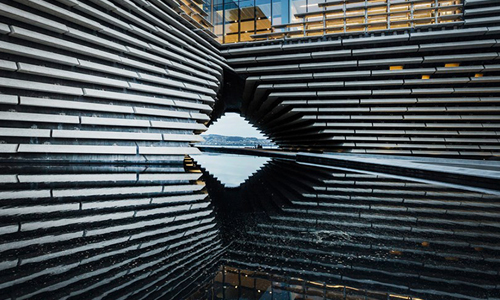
[289, 231]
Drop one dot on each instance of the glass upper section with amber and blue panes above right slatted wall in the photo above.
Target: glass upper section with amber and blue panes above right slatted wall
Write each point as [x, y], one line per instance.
[234, 21]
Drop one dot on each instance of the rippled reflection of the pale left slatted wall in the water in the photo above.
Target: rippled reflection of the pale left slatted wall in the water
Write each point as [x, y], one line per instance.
[104, 232]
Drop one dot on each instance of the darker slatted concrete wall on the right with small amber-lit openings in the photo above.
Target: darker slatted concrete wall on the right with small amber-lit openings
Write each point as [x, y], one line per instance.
[418, 91]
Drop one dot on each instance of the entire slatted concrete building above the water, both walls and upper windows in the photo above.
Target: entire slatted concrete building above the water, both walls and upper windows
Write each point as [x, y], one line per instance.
[138, 80]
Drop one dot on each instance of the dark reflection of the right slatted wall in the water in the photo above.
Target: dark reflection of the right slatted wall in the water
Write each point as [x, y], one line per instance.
[333, 234]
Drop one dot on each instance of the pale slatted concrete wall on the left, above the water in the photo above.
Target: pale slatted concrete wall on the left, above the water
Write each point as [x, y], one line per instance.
[103, 81]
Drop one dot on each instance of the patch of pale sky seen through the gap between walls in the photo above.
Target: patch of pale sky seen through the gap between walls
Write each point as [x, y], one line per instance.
[232, 124]
